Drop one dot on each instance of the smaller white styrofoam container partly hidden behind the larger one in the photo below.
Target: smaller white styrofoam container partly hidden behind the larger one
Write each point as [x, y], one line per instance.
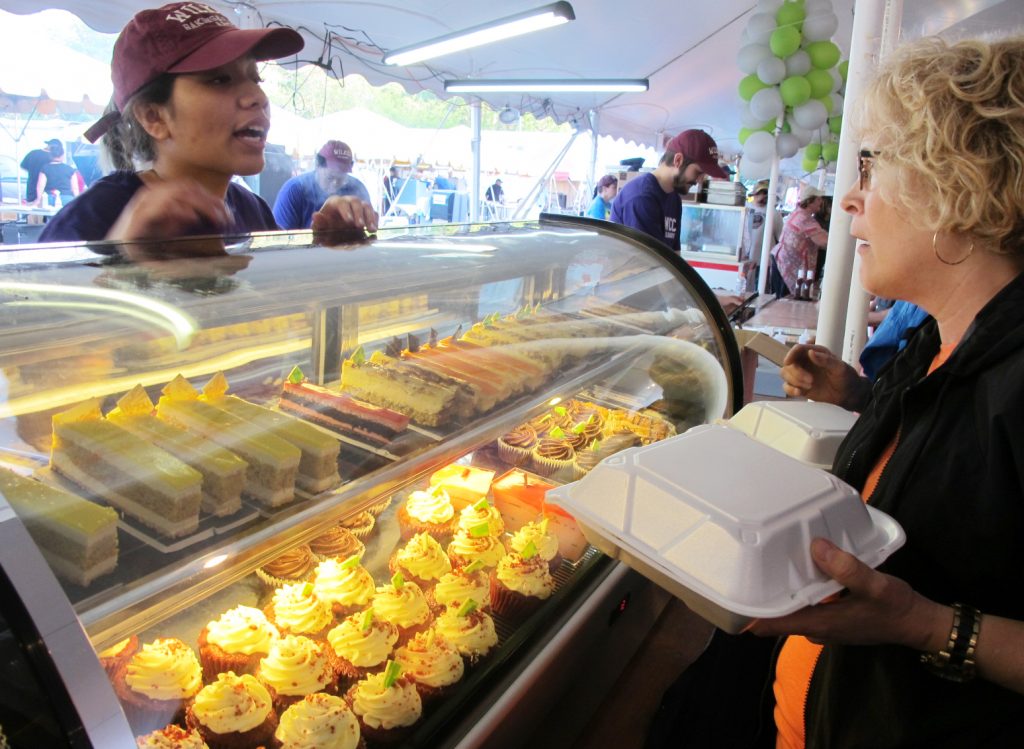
[804, 430]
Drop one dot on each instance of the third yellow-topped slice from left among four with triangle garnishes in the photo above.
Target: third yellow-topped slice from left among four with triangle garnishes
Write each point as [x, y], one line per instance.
[273, 463]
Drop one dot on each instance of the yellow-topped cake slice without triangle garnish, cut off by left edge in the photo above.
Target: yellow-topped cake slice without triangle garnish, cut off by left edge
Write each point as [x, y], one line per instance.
[78, 538]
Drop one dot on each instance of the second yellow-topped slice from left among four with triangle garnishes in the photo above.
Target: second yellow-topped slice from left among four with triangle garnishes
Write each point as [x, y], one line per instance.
[224, 472]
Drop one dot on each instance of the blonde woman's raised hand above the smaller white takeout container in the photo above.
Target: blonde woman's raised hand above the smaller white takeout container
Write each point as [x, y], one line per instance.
[815, 372]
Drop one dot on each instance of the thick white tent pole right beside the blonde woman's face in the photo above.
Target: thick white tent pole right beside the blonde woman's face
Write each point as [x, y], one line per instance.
[836, 292]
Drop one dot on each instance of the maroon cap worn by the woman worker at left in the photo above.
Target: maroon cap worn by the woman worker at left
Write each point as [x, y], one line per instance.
[184, 38]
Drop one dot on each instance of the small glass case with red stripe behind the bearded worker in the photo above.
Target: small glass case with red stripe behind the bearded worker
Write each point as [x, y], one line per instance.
[711, 238]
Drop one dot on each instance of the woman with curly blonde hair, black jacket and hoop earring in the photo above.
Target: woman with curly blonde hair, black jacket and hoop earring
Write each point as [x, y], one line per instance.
[929, 649]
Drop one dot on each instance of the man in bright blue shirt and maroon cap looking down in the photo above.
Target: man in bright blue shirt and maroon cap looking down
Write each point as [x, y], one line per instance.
[303, 196]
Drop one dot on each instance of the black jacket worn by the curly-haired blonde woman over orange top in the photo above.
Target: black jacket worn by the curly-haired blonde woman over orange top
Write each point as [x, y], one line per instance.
[956, 483]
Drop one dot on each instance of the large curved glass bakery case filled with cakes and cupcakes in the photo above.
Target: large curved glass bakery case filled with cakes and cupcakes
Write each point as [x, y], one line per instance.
[198, 427]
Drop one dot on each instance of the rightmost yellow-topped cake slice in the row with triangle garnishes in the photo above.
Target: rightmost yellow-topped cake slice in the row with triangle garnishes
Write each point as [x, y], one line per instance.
[319, 465]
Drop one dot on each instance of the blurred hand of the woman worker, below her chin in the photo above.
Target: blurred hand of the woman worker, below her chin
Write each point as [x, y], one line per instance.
[170, 209]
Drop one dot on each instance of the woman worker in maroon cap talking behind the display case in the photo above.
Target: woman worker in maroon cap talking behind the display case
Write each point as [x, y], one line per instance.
[188, 102]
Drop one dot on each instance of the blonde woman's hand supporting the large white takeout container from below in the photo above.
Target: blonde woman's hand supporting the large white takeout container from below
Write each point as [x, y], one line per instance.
[875, 609]
